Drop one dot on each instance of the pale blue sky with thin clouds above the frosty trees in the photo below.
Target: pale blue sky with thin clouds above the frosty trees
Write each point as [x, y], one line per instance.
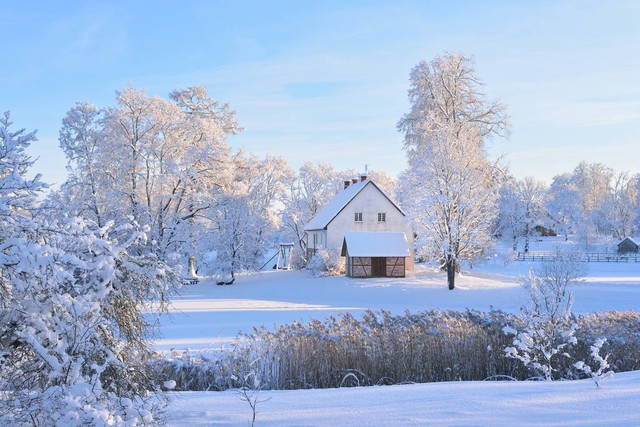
[327, 80]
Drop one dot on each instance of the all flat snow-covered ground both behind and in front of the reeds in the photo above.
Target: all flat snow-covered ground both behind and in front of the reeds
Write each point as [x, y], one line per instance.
[206, 316]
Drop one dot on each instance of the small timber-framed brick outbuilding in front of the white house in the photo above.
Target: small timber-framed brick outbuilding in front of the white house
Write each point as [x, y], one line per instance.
[376, 254]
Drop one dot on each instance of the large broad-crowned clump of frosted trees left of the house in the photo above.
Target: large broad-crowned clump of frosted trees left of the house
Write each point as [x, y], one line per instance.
[160, 162]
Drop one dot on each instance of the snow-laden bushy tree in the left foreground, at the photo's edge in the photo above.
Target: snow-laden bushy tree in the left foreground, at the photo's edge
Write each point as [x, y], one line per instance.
[72, 336]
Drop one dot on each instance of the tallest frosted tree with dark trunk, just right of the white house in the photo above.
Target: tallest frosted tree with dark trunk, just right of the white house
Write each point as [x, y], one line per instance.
[450, 186]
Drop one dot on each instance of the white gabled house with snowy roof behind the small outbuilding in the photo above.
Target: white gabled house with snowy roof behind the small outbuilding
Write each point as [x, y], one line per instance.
[360, 207]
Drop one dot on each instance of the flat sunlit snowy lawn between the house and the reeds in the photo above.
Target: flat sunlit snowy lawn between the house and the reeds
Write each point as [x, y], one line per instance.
[207, 315]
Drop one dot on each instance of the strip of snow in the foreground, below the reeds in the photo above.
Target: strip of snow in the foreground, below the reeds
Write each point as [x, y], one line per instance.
[567, 403]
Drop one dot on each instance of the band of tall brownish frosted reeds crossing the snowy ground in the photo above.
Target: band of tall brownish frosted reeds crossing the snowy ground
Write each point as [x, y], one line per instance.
[381, 348]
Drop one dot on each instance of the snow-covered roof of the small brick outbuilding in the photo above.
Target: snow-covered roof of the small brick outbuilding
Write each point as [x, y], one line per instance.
[375, 244]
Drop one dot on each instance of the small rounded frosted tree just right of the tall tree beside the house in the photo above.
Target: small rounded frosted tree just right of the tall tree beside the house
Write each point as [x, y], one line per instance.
[521, 209]
